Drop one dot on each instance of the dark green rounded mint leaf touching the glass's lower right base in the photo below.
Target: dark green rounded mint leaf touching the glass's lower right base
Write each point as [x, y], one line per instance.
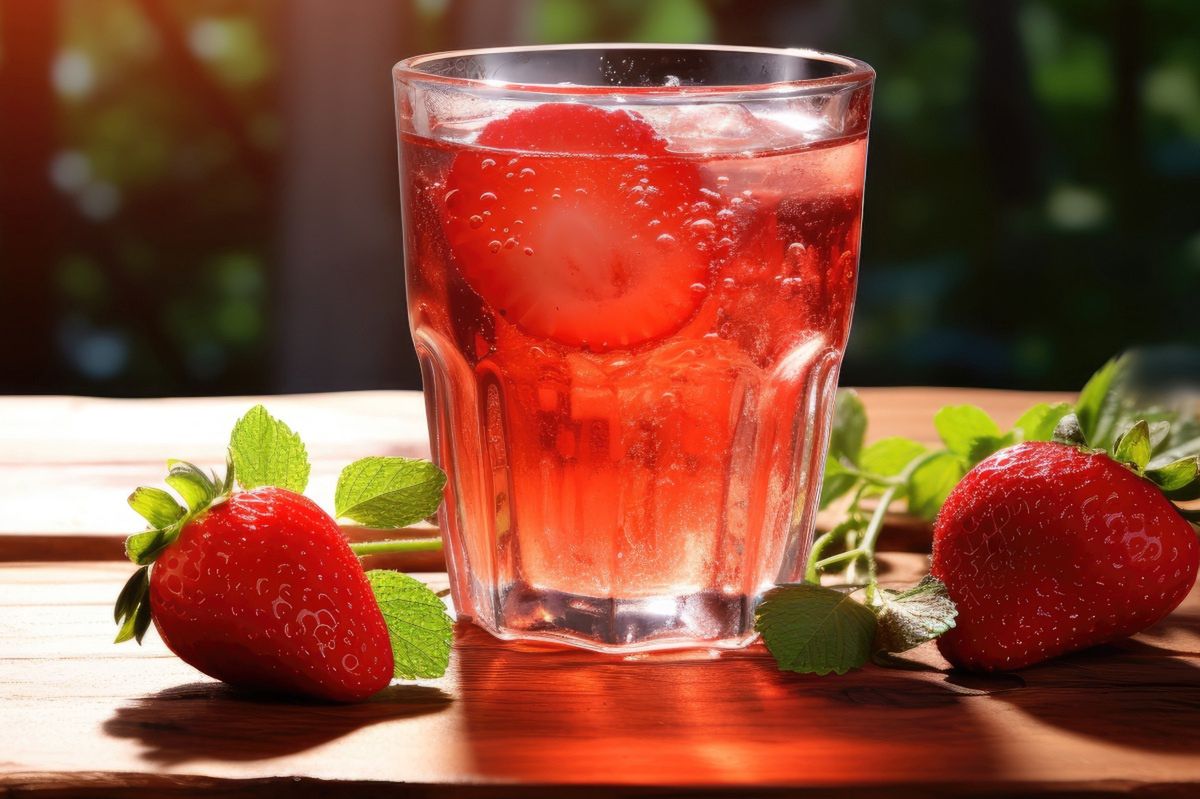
[815, 630]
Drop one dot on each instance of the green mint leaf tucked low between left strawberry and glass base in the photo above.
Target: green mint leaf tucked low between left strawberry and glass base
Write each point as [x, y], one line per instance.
[418, 624]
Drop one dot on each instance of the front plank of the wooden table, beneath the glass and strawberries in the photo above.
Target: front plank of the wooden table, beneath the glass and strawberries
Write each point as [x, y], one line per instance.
[85, 717]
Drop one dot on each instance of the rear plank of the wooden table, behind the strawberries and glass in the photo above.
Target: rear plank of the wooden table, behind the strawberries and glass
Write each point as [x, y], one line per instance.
[68, 464]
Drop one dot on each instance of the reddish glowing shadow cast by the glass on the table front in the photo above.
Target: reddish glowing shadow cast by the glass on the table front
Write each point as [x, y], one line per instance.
[554, 714]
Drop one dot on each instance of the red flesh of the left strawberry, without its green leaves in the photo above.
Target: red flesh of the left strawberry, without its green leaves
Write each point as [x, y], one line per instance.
[263, 592]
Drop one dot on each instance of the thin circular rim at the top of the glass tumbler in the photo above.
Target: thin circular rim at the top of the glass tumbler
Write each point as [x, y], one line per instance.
[857, 74]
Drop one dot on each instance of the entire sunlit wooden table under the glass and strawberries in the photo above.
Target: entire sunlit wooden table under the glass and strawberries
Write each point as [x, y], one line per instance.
[81, 717]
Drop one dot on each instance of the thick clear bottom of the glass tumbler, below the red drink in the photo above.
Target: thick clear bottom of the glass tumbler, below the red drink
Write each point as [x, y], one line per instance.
[701, 621]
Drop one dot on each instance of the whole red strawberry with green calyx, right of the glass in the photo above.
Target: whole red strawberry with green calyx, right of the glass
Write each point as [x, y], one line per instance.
[1051, 548]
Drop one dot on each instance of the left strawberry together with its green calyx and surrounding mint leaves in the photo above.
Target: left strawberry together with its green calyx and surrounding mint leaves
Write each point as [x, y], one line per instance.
[260, 588]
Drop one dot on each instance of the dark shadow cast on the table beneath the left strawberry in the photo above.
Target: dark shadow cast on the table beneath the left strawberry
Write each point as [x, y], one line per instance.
[214, 722]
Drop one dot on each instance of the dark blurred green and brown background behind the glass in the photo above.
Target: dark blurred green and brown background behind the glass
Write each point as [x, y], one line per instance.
[200, 197]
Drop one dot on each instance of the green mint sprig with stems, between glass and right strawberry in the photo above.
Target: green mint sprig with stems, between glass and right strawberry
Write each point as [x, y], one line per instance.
[799, 621]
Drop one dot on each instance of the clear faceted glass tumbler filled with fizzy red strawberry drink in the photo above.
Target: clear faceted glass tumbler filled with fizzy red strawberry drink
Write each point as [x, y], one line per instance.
[631, 280]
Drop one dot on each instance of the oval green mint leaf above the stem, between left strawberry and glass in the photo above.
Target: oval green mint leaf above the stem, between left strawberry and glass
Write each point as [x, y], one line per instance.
[388, 492]
